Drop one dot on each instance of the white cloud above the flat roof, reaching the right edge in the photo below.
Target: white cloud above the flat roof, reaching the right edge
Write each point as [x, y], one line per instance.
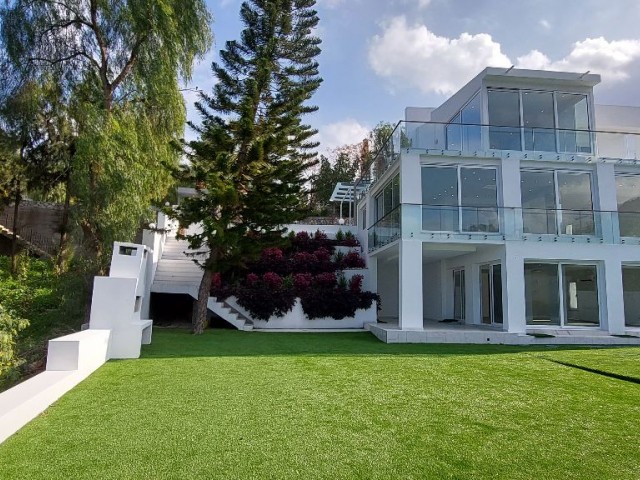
[611, 59]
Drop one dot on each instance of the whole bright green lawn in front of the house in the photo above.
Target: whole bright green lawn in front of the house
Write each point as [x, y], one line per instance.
[236, 405]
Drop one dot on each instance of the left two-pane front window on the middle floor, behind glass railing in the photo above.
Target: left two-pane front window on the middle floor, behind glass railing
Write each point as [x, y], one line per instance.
[459, 199]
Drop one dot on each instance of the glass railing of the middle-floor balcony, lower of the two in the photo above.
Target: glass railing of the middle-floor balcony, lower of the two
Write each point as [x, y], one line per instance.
[497, 224]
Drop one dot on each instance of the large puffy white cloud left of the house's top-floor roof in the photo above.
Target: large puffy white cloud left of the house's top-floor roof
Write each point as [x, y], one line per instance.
[416, 57]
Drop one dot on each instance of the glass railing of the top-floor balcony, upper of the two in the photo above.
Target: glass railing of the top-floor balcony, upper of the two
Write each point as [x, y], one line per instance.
[541, 143]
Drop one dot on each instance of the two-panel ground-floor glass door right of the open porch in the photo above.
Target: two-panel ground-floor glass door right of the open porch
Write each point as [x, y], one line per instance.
[561, 294]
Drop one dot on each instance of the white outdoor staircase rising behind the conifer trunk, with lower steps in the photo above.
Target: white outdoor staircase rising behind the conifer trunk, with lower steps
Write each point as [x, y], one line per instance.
[178, 273]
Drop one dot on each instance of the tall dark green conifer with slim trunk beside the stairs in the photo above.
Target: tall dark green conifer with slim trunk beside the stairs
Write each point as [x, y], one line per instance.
[249, 164]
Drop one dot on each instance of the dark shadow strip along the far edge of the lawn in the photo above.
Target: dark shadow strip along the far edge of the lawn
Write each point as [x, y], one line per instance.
[171, 343]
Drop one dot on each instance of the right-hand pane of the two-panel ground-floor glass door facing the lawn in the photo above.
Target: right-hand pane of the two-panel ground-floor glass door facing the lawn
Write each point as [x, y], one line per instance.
[580, 295]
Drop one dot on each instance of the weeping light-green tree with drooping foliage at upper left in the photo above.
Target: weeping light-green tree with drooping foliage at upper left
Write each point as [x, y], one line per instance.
[120, 62]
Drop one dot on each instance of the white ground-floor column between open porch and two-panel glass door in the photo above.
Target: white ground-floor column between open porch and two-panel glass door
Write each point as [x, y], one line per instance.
[513, 296]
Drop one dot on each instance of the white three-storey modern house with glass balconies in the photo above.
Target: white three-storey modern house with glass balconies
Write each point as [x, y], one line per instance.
[514, 205]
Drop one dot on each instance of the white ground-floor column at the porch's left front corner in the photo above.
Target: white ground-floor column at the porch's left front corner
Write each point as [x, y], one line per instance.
[410, 291]
